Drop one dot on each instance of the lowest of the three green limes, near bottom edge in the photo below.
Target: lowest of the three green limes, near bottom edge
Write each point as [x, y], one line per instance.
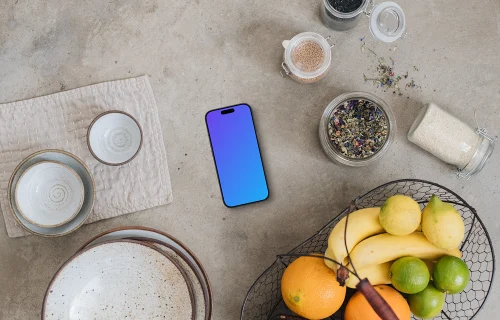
[428, 303]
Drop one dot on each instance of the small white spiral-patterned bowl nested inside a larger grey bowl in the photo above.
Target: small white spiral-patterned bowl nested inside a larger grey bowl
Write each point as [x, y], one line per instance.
[49, 194]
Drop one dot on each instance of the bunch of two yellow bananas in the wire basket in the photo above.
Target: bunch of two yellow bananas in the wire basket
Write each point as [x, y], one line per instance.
[372, 251]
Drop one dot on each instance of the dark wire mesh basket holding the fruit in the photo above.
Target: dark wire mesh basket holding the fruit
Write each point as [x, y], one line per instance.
[263, 300]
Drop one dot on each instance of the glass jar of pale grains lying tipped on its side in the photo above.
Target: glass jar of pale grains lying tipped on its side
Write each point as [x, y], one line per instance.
[451, 140]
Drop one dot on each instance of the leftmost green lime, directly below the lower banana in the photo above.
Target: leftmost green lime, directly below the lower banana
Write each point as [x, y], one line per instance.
[409, 275]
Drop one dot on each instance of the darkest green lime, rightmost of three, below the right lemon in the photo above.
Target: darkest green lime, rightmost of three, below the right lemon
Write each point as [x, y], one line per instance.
[451, 274]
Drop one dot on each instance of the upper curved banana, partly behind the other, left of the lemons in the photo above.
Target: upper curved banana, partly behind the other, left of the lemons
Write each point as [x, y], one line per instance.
[362, 224]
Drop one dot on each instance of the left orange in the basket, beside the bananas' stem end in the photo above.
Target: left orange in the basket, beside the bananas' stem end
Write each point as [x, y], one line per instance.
[310, 289]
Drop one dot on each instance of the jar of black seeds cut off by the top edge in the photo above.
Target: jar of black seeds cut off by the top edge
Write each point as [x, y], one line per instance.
[342, 15]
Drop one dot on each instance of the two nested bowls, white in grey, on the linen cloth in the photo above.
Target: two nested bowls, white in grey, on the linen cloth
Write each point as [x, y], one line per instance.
[51, 193]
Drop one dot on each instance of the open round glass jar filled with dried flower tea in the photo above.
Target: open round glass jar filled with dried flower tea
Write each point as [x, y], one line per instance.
[356, 129]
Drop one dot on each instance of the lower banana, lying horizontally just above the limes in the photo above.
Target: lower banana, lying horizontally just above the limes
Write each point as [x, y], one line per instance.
[387, 247]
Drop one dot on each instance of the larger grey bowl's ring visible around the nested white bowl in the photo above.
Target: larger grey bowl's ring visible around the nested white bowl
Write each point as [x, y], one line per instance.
[74, 163]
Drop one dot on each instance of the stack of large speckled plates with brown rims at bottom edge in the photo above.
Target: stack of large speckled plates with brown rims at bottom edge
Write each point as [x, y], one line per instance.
[130, 273]
